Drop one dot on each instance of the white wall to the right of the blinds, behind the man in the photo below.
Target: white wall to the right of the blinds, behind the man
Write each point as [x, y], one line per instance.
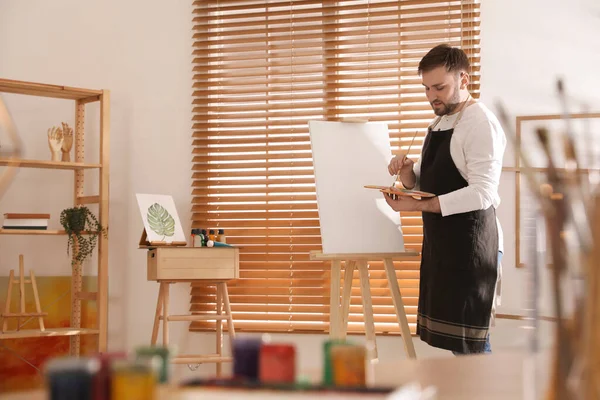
[526, 46]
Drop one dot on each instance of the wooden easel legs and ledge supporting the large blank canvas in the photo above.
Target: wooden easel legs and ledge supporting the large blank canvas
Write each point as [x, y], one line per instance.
[338, 316]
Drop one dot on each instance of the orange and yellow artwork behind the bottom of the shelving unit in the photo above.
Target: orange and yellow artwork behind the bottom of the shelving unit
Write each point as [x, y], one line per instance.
[22, 360]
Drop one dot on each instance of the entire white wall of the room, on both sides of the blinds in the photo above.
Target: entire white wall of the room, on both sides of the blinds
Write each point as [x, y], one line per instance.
[141, 51]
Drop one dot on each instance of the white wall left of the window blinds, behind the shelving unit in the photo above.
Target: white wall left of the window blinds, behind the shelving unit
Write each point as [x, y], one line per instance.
[141, 51]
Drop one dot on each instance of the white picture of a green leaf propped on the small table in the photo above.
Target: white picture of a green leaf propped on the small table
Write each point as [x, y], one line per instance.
[160, 217]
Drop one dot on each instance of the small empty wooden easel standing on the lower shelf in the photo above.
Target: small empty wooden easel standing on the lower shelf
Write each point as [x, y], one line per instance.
[22, 313]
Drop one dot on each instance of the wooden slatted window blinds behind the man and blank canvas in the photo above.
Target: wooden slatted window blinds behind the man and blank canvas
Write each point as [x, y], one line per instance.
[262, 70]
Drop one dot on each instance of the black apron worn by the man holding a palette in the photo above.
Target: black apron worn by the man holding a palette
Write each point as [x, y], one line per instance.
[459, 264]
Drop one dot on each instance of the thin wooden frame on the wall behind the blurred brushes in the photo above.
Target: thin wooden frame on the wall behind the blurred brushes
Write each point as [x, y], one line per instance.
[518, 169]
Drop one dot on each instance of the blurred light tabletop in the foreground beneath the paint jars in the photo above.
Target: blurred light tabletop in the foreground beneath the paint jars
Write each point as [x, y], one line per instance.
[490, 377]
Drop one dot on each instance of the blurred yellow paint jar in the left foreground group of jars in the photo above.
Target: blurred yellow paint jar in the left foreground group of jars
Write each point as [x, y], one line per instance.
[135, 380]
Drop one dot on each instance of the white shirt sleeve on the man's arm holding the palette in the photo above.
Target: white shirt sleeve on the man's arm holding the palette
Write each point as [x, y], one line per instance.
[483, 149]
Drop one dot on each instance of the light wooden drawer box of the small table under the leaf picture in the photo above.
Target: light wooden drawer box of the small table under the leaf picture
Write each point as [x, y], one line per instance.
[189, 263]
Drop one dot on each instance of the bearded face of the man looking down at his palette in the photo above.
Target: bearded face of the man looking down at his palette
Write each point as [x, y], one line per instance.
[442, 89]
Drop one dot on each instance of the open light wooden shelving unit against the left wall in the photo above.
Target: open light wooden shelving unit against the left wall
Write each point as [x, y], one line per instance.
[81, 97]
